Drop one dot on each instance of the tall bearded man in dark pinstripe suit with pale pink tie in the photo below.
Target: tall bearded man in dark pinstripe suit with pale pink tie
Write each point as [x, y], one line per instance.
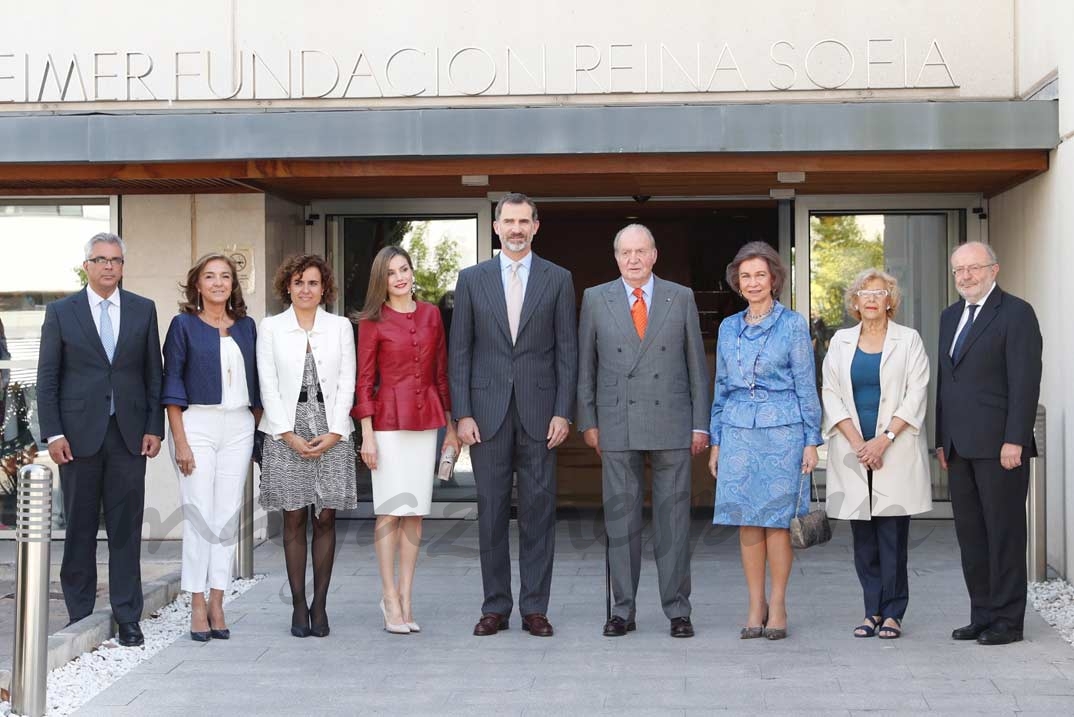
[514, 367]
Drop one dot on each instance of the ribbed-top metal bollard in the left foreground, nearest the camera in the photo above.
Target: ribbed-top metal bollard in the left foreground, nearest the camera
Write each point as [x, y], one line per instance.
[34, 531]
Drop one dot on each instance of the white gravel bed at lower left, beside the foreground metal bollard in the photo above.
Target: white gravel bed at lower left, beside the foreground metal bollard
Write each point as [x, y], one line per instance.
[81, 680]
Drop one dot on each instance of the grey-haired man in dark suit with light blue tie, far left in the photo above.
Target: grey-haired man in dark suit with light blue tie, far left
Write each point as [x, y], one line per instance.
[99, 377]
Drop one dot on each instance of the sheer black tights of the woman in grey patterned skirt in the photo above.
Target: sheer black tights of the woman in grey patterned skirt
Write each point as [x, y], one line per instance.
[295, 555]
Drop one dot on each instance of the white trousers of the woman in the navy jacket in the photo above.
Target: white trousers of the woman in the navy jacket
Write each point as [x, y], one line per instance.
[212, 496]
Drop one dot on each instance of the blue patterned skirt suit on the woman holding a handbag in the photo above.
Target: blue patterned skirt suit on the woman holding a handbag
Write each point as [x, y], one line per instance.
[765, 413]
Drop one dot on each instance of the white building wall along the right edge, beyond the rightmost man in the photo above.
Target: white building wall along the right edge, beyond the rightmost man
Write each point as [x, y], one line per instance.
[1032, 227]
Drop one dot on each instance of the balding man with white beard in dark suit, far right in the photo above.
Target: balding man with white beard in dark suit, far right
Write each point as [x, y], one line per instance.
[990, 382]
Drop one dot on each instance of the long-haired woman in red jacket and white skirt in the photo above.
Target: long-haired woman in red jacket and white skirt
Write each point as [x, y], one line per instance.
[402, 401]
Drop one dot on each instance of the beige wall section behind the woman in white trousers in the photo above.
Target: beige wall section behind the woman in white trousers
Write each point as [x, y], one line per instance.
[165, 235]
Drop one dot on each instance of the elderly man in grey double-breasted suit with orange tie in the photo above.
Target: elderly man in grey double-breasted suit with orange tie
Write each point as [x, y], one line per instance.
[644, 389]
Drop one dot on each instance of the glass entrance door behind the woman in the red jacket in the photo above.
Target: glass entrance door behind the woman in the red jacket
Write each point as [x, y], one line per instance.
[442, 241]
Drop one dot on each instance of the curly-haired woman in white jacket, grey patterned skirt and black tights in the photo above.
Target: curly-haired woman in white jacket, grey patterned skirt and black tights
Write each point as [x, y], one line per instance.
[307, 365]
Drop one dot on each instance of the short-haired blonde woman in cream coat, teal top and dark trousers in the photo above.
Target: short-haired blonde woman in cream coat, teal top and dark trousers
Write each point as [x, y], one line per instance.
[876, 383]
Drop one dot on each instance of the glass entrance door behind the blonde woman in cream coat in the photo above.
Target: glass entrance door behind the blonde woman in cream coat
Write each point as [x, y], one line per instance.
[911, 244]
